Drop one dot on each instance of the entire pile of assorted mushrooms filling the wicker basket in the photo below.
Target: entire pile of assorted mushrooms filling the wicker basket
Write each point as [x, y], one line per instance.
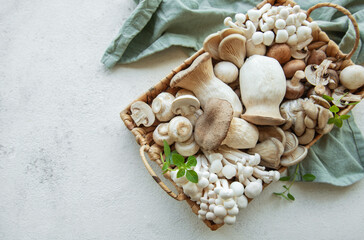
[248, 105]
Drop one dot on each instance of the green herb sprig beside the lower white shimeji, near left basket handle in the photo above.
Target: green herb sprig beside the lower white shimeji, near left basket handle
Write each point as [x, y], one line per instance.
[184, 168]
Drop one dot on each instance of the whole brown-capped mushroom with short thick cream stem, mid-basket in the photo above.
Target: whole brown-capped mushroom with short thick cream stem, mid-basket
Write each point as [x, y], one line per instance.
[217, 126]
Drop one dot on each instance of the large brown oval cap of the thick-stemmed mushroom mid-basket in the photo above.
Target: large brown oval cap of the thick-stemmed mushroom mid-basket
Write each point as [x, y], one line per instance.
[212, 126]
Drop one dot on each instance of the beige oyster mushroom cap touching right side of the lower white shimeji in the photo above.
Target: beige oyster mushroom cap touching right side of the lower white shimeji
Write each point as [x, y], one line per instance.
[270, 152]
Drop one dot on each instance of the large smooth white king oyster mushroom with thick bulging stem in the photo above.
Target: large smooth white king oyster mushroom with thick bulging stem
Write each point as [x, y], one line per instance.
[262, 87]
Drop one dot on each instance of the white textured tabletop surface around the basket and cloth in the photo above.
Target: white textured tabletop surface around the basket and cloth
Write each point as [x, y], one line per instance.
[69, 169]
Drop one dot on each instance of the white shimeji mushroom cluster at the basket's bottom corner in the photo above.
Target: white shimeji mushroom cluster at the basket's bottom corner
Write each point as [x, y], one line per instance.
[227, 177]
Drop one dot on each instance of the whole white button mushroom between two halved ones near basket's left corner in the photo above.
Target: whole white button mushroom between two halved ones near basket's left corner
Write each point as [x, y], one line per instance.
[161, 106]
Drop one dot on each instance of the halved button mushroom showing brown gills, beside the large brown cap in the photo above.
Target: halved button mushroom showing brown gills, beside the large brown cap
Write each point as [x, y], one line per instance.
[185, 105]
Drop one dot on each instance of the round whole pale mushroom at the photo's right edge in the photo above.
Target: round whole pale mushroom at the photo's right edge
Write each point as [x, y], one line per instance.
[352, 77]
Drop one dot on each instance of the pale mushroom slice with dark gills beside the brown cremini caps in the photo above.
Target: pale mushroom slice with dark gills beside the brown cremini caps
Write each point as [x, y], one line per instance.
[317, 75]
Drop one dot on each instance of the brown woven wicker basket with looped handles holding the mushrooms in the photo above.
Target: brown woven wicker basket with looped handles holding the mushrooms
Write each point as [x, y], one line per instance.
[144, 135]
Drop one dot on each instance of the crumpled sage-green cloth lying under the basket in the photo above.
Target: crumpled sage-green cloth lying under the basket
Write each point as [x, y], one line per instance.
[338, 157]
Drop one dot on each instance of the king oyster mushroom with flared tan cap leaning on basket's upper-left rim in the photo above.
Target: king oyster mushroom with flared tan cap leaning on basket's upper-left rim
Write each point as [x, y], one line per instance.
[200, 79]
